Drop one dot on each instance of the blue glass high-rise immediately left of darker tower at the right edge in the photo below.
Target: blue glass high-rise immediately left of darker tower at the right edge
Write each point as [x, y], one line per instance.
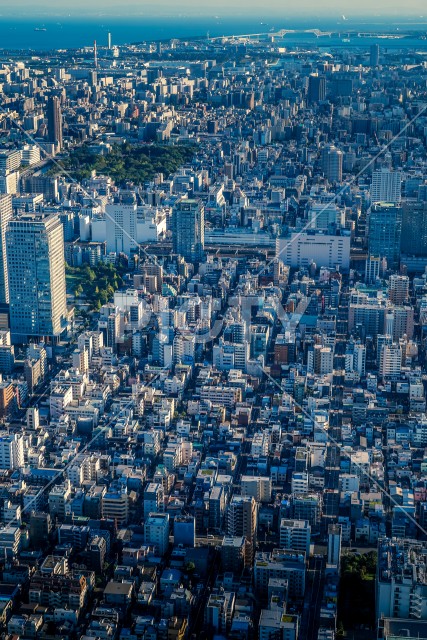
[385, 229]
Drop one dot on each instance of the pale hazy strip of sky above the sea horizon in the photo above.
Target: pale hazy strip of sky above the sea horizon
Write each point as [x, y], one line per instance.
[294, 8]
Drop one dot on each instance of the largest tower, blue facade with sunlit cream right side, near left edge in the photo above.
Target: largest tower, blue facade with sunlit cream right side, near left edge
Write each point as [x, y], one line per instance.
[35, 261]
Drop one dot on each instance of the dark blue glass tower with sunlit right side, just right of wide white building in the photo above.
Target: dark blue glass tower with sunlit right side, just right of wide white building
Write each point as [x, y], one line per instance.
[188, 229]
